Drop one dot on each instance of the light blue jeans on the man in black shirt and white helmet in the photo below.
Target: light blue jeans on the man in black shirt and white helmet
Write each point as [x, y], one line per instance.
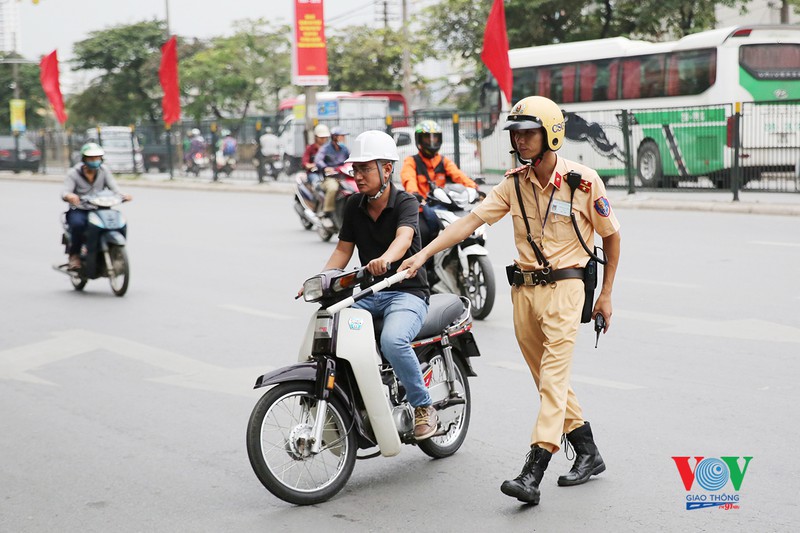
[403, 315]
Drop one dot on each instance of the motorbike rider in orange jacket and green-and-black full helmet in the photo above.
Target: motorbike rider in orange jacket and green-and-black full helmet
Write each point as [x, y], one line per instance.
[428, 169]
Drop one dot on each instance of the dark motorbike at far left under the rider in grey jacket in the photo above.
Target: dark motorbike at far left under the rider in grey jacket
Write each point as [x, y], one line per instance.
[104, 254]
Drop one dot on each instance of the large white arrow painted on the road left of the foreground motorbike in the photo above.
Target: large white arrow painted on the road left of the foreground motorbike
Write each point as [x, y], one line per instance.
[18, 363]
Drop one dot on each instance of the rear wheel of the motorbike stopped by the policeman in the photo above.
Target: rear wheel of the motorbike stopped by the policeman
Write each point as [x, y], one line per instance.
[454, 419]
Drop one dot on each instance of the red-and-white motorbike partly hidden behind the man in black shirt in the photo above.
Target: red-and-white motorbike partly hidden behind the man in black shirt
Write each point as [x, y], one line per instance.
[309, 201]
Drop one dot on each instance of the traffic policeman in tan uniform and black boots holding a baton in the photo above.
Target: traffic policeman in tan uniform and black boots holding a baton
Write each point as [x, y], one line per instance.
[547, 279]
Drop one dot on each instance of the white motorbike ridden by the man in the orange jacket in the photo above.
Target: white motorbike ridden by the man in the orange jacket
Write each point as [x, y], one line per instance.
[465, 268]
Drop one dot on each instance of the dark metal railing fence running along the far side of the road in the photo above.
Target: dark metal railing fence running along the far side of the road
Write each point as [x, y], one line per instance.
[754, 147]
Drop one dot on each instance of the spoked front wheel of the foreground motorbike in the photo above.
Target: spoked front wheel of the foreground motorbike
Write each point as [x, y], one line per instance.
[278, 444]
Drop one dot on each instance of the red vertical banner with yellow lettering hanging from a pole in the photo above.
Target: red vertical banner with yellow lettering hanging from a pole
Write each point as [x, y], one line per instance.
[310, 55]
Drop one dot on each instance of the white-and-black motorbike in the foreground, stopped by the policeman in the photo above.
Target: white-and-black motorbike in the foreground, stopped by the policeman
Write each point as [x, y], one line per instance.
[341, 396]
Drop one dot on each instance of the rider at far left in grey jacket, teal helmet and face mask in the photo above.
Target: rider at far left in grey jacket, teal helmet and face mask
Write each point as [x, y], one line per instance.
[86, 177]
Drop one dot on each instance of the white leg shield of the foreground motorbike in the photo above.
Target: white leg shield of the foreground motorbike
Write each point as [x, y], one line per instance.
[355, 342]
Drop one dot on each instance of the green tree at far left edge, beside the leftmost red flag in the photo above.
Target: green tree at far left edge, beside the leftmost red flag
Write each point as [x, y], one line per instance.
[30, 90]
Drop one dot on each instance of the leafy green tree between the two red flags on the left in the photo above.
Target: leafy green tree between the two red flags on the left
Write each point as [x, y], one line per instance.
[127, 89]
